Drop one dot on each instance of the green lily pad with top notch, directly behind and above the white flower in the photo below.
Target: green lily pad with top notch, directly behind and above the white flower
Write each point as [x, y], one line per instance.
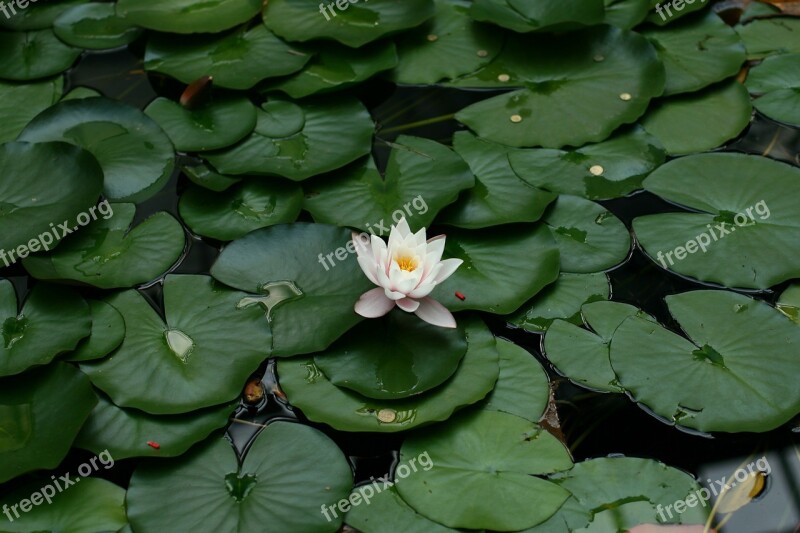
[361, 197]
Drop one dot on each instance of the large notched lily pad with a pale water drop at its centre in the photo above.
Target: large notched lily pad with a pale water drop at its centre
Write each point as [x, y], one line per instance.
[198, 357]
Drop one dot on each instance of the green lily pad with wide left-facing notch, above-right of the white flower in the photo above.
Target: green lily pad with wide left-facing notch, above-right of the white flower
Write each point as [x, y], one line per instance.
[499, 195]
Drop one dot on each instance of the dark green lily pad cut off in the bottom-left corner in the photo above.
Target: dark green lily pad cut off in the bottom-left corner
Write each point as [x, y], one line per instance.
[92, 506]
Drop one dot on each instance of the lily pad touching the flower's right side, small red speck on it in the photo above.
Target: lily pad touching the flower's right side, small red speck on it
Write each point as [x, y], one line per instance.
[501, 270]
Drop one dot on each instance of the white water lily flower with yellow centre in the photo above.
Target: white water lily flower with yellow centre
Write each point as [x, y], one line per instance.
[405, 272]
